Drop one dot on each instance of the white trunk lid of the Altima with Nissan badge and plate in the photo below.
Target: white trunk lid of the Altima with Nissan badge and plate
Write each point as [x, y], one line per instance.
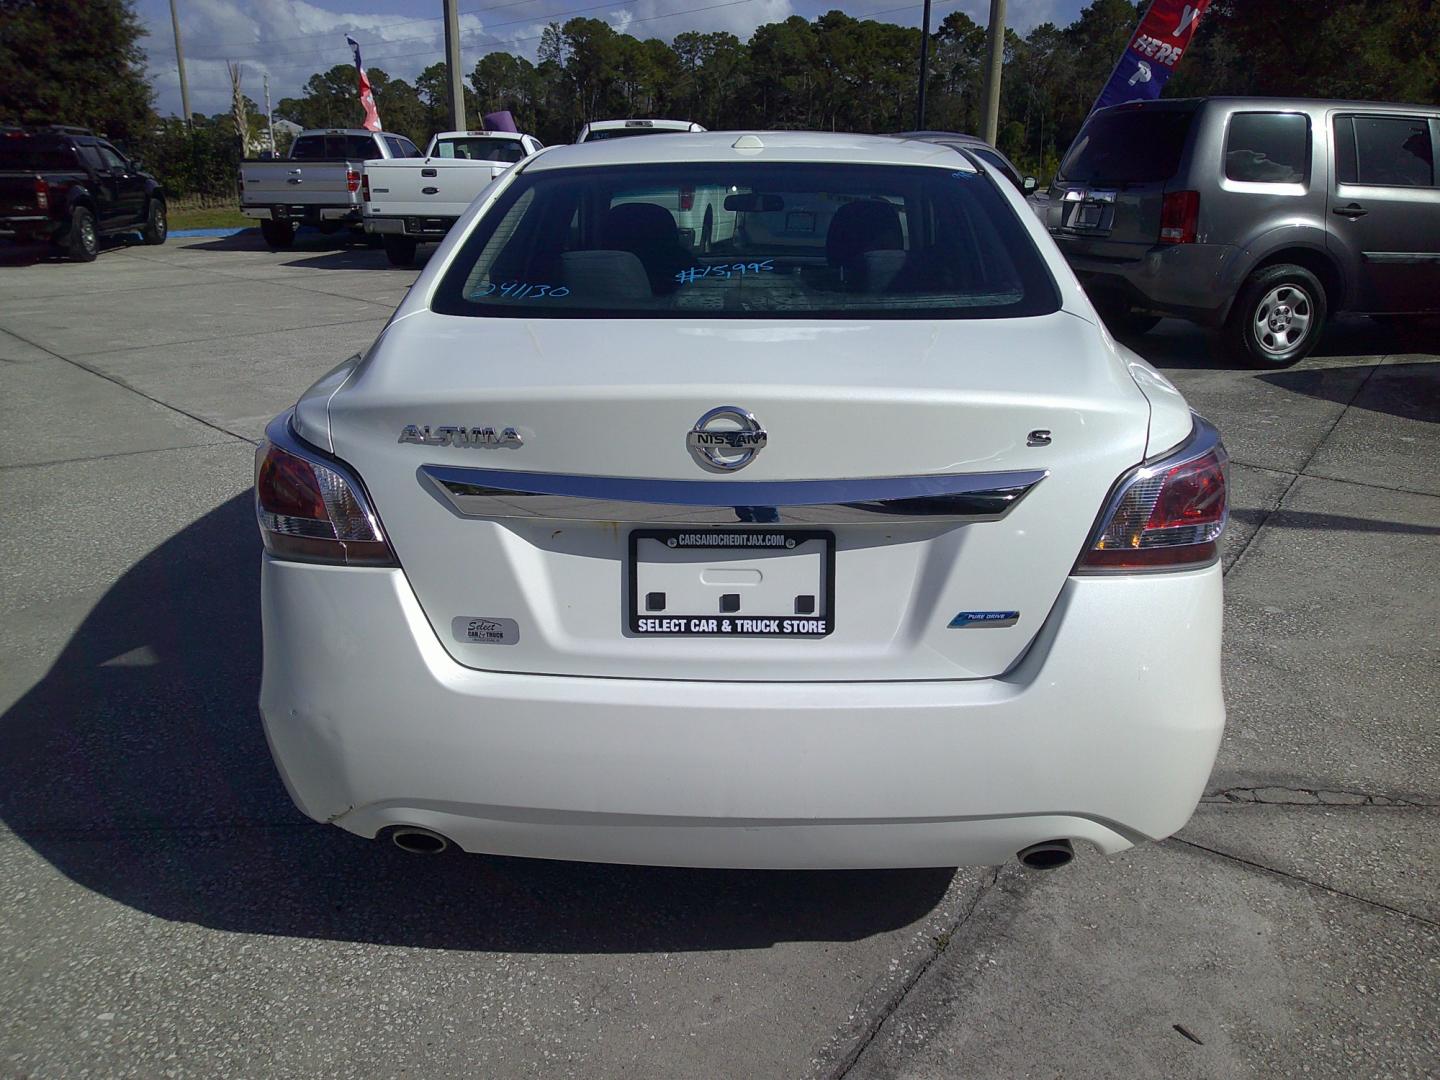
[574, 474]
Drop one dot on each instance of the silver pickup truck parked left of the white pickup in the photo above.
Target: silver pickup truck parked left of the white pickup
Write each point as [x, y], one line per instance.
[319, 184]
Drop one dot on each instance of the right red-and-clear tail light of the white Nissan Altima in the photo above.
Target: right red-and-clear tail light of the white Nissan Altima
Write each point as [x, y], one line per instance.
[1166, 515]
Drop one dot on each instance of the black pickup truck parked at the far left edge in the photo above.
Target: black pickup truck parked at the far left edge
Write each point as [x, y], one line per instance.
[67, 186]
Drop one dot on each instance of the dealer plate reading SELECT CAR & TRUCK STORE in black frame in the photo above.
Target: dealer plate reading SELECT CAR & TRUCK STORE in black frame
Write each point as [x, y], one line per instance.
[732, 582]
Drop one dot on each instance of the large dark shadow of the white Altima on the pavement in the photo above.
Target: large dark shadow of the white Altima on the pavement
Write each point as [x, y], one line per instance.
[139, 770]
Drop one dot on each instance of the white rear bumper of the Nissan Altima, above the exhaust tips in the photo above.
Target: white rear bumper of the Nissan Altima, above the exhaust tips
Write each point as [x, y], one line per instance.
[1105, 732]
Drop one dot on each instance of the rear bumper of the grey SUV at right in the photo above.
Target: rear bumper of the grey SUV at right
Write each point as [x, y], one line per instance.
[1194, 282]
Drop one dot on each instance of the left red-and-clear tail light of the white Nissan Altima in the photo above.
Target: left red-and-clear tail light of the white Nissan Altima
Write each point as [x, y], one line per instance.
[312, 509]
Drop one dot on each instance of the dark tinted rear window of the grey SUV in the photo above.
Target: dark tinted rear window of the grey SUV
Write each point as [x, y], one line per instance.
[1130, 148]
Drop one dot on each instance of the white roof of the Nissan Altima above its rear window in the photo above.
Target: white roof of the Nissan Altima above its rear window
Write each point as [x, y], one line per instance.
[754, 146]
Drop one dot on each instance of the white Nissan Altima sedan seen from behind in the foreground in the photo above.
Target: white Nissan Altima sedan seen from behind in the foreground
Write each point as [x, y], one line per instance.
[847, 541]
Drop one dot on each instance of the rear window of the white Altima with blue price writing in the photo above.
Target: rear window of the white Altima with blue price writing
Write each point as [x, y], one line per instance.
[750, 241]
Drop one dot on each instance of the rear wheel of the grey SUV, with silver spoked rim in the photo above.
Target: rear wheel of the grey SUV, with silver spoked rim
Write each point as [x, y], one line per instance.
[1278, 319]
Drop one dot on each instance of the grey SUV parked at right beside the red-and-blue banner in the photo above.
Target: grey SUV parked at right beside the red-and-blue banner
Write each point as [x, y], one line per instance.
[1259, 217]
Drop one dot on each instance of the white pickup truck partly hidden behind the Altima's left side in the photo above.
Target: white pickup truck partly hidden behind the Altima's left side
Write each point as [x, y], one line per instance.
[413, 201]
